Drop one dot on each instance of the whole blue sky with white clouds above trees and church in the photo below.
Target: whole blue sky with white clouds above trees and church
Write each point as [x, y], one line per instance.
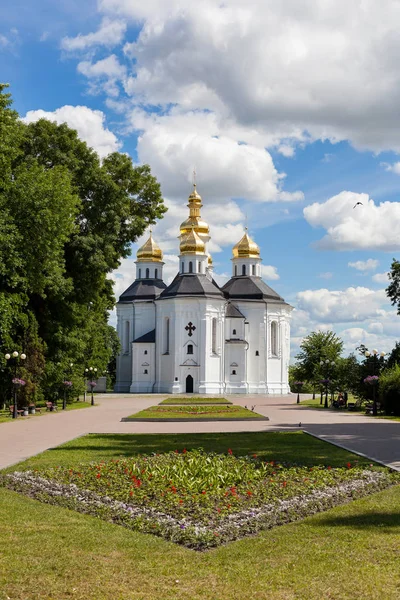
[288, 111]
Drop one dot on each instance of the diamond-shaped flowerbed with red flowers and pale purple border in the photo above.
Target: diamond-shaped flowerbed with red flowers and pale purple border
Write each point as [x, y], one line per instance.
[199, 499]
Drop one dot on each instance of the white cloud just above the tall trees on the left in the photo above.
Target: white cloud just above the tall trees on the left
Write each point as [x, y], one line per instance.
[90, 125]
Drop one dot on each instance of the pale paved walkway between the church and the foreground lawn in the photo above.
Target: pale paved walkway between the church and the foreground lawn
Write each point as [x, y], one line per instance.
[379, 439]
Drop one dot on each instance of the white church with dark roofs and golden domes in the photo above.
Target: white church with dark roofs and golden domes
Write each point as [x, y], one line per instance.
[194, 336]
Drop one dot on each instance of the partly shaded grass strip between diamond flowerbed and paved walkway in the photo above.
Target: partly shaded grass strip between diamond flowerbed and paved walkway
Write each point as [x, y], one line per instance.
[286, 447]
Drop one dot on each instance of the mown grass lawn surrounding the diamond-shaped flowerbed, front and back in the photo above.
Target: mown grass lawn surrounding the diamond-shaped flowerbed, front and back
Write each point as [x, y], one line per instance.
[50, 553]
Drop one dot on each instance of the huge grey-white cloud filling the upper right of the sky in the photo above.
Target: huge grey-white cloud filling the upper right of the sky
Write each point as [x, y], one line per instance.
[263, 64]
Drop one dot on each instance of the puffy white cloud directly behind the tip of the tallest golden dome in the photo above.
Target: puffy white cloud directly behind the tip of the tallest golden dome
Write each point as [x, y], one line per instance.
[176, 142]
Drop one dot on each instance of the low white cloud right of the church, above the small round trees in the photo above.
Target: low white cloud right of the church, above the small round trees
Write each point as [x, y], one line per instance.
[354, 304]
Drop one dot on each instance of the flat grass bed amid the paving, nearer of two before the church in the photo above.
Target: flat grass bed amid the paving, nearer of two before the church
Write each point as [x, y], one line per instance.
[196, 412]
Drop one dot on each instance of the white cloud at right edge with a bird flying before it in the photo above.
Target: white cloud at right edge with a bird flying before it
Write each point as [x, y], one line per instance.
[369, 226]
